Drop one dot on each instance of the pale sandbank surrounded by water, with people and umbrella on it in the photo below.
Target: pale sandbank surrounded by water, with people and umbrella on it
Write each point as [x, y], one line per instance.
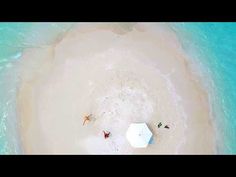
[120, 73]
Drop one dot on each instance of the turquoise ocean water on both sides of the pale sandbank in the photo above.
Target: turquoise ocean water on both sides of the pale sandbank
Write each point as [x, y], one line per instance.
[210, 46]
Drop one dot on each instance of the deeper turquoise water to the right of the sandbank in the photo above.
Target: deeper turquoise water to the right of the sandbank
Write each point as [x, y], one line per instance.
[213, 45]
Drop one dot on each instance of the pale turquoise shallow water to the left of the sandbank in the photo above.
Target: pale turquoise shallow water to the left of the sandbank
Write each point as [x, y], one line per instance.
[14, 38]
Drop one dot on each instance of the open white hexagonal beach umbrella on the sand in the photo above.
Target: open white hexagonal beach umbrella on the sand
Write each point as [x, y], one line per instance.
[138, 135]
